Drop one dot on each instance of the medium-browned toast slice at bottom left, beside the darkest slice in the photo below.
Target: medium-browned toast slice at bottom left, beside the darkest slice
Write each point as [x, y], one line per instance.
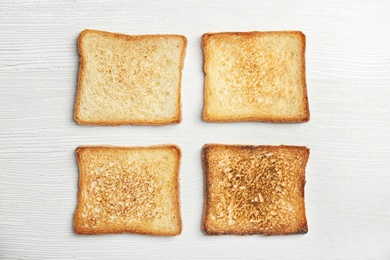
[128, 190]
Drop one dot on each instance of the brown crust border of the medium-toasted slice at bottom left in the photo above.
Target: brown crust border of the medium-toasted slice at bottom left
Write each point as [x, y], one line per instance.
[79, 226]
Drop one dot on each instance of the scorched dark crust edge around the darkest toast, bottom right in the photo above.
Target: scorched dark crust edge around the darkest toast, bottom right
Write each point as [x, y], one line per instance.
[303, 227]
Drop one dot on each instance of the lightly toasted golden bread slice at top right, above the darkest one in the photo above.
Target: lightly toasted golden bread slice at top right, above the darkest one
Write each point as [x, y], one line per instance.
[255, 76]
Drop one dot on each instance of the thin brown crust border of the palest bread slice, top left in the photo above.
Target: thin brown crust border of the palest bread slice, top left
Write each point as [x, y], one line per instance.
[81, 75]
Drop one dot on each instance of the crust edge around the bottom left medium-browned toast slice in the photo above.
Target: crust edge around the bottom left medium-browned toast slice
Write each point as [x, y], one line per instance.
[79, 229]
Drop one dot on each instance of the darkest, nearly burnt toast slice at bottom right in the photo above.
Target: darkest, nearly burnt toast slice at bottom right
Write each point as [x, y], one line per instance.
[254, 189]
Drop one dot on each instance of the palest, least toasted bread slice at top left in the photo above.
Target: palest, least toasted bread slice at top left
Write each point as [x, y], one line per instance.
[126, 79]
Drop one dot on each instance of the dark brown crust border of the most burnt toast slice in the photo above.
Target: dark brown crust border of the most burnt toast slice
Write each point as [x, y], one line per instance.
[207, 226]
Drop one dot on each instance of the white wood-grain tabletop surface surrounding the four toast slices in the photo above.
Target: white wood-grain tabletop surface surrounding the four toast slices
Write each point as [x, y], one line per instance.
[348, 175]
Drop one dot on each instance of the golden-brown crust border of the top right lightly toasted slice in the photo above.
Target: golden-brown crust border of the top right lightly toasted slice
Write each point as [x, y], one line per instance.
[305, 117]
